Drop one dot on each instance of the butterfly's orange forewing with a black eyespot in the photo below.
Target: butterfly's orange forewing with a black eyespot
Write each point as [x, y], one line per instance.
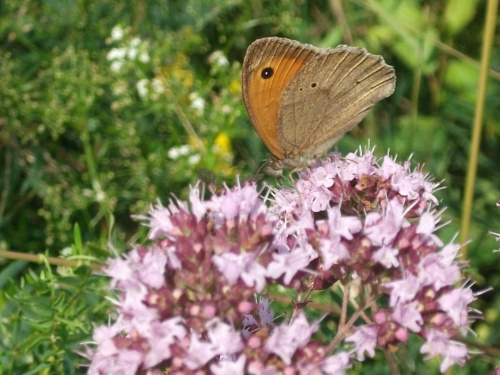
[269, 65]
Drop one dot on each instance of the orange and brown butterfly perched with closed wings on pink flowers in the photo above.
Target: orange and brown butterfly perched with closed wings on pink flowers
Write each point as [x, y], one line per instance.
[301, 99]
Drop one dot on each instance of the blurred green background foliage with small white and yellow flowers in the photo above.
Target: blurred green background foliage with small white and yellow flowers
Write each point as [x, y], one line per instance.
[106, 106]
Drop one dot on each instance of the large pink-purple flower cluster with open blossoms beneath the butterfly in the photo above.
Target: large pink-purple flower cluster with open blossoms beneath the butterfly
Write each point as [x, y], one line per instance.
[199, 298]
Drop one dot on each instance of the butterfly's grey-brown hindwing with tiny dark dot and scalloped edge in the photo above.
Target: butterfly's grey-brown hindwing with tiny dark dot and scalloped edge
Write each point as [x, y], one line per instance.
[329, 96]
